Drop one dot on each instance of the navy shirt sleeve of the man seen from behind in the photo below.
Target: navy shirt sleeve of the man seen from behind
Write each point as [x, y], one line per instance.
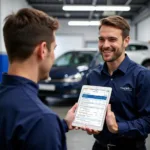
[47, 134]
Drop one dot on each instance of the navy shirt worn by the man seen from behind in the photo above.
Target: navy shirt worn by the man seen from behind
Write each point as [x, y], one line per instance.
[25, 122]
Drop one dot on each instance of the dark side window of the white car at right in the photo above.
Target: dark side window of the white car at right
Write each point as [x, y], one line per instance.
[134, 47]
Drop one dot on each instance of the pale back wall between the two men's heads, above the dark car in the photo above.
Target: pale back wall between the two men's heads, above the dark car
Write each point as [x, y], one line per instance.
[73, 37]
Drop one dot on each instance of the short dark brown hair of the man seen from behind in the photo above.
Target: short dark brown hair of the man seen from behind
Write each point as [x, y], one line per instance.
[24, 30]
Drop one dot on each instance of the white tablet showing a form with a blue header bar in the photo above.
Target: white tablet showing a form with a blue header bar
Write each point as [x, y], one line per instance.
[92, 106]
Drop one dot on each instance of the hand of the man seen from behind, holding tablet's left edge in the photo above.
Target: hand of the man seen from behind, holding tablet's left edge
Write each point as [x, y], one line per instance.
[70, 116]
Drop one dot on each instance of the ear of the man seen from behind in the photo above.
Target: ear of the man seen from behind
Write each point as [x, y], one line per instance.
[42, 50]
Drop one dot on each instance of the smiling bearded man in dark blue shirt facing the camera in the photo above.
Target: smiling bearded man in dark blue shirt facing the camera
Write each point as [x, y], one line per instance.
[128, 115]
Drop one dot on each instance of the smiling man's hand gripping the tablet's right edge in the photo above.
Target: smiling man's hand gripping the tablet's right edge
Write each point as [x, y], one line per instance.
[111, 121]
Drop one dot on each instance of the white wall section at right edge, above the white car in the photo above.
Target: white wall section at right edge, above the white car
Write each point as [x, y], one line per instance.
[143, 30]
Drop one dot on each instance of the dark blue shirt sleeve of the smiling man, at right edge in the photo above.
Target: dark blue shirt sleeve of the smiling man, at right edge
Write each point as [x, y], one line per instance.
[141, 125]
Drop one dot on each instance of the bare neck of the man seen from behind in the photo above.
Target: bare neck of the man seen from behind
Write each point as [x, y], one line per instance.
[24, 70]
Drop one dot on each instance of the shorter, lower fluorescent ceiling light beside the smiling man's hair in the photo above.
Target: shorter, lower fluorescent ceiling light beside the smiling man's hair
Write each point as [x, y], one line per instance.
[84, 23]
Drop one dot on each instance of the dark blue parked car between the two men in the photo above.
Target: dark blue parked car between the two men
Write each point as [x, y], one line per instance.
[68, 73]
